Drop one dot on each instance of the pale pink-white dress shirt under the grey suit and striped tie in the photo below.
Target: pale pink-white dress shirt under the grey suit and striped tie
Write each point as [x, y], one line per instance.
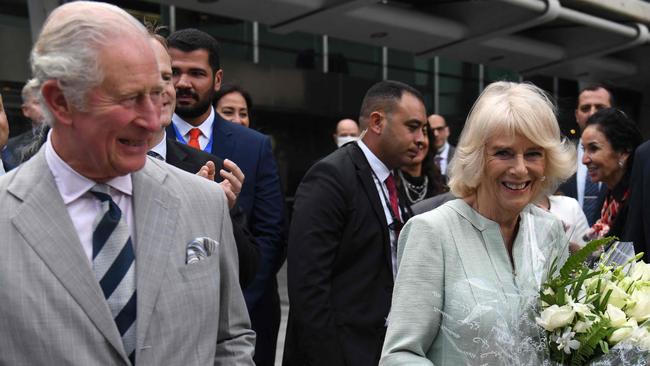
[82, 205]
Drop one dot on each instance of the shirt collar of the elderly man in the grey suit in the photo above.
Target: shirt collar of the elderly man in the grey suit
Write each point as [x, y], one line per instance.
[73, 185]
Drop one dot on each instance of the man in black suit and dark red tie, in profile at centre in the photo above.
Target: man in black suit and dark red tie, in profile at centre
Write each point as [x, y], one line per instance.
[343, 237]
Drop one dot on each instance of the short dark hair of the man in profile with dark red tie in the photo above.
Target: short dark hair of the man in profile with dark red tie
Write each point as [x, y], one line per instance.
[385, 95]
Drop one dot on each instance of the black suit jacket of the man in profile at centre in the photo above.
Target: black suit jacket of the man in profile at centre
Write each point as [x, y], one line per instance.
[339, 265]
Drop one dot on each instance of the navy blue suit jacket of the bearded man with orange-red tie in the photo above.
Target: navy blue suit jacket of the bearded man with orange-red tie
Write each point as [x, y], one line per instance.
[260, 198]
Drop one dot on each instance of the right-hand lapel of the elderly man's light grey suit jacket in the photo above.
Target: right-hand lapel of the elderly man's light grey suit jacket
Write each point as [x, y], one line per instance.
[156, 212]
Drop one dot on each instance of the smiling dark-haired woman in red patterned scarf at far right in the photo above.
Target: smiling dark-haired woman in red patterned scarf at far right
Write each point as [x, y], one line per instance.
[610, 140]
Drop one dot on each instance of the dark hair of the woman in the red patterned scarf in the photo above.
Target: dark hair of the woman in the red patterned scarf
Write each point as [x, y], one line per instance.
[621, 132]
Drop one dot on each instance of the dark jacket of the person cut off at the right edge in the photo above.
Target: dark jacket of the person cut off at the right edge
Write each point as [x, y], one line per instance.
[637, 227]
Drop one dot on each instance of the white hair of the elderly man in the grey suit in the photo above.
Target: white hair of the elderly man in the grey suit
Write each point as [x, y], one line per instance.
[67, 50]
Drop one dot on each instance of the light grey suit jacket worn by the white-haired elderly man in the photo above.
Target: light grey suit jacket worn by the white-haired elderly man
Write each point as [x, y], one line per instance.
[53, 311]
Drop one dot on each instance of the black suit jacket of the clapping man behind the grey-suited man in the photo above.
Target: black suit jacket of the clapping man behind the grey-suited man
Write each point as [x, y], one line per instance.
[191, 160]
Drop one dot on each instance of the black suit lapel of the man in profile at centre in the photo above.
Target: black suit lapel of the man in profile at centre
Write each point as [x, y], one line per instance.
[365, 175]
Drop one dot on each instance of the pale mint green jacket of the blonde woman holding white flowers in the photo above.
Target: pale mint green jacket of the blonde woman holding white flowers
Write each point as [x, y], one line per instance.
[458, 298]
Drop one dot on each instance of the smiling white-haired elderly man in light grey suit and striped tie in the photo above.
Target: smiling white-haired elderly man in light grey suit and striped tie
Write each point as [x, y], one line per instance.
[110, 257]
